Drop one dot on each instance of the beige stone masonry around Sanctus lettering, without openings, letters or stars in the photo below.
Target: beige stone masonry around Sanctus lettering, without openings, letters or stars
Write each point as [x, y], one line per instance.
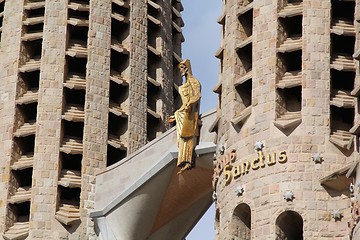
[264, 187]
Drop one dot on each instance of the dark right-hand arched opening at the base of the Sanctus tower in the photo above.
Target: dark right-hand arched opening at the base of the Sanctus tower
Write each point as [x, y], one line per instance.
[289, 226]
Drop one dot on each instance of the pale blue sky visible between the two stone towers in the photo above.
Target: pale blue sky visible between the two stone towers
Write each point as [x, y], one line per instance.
[202, 39]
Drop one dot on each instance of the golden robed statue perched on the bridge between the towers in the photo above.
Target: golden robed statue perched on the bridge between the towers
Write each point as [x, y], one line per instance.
[186, 117]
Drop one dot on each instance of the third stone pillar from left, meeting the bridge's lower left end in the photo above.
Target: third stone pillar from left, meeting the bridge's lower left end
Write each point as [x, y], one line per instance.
[96, 105]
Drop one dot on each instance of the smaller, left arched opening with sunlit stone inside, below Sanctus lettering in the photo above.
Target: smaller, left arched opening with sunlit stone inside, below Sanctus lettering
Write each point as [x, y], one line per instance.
[241, 223]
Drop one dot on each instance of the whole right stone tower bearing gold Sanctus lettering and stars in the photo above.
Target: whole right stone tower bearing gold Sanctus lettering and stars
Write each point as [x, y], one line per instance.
[288, 119]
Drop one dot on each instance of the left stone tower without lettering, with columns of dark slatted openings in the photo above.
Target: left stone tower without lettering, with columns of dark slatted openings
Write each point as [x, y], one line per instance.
[83, 83]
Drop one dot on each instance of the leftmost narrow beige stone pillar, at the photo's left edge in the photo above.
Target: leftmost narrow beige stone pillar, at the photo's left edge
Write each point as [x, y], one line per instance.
[11, 35]
